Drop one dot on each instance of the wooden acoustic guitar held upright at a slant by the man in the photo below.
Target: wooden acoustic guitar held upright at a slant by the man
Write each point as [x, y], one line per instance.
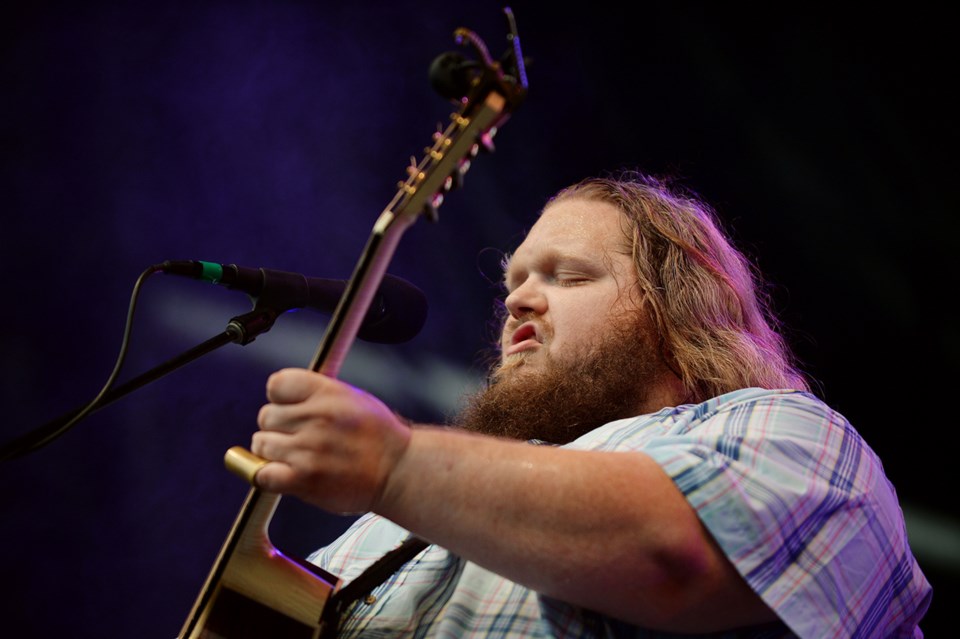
[254, 590]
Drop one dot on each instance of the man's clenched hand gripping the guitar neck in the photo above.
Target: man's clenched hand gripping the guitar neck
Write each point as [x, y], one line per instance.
[329, 443]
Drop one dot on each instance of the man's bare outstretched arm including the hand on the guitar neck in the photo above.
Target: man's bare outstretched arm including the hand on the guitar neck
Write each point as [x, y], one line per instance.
[606, 531]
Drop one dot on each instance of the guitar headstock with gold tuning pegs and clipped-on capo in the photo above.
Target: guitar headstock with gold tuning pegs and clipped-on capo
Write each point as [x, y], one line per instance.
[486, 92]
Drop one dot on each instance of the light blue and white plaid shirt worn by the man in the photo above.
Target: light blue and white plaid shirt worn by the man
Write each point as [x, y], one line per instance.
[792, 494]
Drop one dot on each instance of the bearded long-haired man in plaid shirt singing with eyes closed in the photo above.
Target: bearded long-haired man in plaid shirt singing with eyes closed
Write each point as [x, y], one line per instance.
[687, 482]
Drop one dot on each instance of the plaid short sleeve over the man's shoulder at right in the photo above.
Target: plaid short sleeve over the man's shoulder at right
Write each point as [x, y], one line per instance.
[800, 505]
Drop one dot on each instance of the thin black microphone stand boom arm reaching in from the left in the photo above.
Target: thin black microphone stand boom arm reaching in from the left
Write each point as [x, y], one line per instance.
[241, 329]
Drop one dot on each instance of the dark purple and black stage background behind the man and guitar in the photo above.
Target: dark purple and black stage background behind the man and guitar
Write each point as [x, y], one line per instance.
[272, 135]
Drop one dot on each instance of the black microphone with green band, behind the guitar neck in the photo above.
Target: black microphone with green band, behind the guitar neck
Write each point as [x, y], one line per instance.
[397, 311]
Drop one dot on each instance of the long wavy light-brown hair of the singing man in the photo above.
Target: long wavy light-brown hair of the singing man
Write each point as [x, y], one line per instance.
[707, 301]
